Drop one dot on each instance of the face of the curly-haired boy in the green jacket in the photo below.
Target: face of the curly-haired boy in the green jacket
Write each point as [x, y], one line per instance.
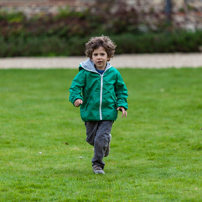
[100, 58]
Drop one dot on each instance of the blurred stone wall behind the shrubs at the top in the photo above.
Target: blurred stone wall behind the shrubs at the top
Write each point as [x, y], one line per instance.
[187, 15]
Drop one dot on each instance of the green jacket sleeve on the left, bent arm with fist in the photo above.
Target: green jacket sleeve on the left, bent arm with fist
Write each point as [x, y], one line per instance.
[76, 87]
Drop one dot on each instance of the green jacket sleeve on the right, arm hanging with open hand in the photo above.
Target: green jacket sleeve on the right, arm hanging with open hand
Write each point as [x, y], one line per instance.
[121, 92]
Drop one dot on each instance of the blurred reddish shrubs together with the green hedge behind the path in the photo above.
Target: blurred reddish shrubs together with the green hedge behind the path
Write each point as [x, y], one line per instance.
[66, 33]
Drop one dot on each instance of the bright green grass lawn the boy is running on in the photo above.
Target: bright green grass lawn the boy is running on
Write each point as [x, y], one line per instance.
[156, 152]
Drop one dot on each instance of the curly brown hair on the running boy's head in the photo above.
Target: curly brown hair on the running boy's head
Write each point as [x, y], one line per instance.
[102, 41]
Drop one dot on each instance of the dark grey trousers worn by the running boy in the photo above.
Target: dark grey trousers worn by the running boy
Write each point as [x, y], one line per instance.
[98, 136]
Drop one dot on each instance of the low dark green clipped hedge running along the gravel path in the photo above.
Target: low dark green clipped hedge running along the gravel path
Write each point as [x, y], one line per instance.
[126, 43]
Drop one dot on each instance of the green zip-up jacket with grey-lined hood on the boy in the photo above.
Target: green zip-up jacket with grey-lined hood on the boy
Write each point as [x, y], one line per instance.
[101, 93]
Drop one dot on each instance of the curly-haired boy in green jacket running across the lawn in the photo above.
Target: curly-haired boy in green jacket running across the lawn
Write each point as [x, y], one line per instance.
[100, 92]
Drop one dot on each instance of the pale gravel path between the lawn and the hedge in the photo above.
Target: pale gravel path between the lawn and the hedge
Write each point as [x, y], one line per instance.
[177, 60]
